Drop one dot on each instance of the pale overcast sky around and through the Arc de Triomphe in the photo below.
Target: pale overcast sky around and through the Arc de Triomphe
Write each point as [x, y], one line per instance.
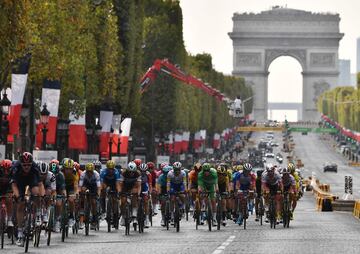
[206, 24]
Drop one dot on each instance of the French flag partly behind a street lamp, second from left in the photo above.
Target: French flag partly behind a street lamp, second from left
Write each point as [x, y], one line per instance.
[51, 97]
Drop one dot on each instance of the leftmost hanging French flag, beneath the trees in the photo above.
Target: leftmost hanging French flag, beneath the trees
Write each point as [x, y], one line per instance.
[18, 85]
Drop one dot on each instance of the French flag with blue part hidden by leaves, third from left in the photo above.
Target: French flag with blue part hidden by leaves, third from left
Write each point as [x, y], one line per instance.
[77, 133]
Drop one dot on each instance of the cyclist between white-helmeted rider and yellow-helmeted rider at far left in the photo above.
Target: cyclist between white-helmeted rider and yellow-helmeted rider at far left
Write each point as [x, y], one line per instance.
[60, 190]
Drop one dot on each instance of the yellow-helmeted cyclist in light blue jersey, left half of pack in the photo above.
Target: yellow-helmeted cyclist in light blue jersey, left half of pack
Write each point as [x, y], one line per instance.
[110, 179]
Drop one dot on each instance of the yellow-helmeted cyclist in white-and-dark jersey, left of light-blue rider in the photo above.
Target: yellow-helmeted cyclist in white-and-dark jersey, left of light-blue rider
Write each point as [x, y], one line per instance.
[90, 182]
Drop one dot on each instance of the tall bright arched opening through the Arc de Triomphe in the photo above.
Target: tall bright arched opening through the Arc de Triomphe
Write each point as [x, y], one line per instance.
[285, 89]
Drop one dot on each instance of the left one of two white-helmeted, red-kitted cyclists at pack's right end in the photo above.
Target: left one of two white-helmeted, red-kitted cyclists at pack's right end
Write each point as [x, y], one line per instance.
[272, 184]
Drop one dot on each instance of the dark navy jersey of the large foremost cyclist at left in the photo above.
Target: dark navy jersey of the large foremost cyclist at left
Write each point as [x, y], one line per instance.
[22, 178]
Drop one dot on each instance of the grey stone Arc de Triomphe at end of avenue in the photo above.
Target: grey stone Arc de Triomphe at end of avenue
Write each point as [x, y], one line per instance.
[311, 38]
